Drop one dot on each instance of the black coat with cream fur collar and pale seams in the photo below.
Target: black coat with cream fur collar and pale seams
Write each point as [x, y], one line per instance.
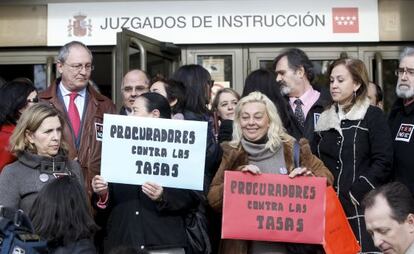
[358, 152]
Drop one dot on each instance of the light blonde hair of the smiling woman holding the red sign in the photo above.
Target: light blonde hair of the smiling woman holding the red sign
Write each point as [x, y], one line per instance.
[276, 134]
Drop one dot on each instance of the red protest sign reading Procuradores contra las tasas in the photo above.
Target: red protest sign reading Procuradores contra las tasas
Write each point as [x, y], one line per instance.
[271, 207]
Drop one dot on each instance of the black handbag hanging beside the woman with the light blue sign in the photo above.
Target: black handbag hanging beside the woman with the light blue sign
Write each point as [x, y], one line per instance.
[198, 241]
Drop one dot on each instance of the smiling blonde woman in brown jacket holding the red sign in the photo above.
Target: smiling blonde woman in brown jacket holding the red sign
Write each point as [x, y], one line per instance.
[260, 144]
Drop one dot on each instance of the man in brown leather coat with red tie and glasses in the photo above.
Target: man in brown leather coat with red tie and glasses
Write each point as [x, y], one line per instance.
[81, 105]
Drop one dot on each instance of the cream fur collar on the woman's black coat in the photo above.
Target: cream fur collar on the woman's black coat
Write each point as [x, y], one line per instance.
[329, 119]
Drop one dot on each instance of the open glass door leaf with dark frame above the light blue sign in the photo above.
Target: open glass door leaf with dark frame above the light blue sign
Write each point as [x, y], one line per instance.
[137, 51]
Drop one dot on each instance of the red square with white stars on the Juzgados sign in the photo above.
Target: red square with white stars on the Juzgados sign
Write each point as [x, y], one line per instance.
[345, 20]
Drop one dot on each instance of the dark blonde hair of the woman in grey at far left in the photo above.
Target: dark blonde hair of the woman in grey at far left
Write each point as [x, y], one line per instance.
[29, 122]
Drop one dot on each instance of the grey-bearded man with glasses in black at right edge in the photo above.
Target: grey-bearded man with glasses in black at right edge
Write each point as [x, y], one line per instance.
[401, 120]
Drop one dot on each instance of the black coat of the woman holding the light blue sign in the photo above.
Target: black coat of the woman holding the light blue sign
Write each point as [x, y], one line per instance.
[136, 220]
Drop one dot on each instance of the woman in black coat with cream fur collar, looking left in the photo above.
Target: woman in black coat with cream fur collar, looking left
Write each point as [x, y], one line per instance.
[353, 139]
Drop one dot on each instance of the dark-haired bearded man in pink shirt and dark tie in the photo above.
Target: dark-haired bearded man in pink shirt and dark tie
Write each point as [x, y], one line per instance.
[295, 73]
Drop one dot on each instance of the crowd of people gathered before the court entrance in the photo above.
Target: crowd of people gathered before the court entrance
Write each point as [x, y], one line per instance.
[50, 156]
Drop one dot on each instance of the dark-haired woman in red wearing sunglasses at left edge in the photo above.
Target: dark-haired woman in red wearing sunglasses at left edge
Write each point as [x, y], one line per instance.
[15, 97]
